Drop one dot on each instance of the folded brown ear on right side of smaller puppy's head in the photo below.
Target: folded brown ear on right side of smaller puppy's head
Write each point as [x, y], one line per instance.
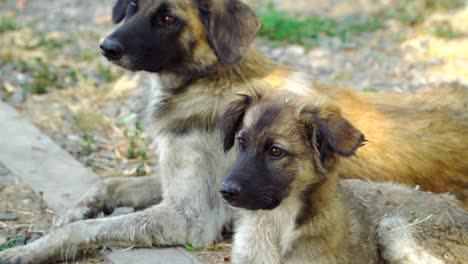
[330, 132]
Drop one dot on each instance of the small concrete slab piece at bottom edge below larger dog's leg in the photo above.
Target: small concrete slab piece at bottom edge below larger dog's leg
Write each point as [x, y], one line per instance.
[154, 256]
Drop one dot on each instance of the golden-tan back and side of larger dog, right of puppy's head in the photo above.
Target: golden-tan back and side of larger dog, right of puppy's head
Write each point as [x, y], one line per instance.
[424, 135]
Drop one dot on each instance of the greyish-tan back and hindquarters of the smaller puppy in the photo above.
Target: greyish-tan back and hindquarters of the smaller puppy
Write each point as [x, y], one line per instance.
[408, 224]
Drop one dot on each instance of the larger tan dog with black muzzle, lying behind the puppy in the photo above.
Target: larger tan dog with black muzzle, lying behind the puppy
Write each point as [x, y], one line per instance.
[198, 53]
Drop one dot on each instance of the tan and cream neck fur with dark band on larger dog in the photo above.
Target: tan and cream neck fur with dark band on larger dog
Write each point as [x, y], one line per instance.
[199, 101]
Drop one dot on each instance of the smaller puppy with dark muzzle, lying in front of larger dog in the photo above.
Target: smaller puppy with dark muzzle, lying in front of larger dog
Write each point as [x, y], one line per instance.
[293, 208]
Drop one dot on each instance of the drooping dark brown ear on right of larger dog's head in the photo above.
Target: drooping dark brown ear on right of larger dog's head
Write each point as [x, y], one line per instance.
[231, 26]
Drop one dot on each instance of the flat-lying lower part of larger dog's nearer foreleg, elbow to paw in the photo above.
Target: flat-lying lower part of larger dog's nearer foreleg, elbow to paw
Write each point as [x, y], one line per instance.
[162, 225]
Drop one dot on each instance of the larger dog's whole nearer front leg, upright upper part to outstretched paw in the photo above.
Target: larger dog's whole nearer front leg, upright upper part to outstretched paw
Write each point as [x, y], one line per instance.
[192, 210]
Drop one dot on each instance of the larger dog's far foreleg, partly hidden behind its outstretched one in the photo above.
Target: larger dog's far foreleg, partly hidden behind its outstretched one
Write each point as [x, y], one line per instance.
[105, 196]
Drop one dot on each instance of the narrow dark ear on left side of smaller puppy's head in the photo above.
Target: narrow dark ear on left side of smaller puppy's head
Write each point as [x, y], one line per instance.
[232, 119]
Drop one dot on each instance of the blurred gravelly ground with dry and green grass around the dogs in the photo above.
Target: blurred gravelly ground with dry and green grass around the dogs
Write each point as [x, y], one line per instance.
[51, 71]
